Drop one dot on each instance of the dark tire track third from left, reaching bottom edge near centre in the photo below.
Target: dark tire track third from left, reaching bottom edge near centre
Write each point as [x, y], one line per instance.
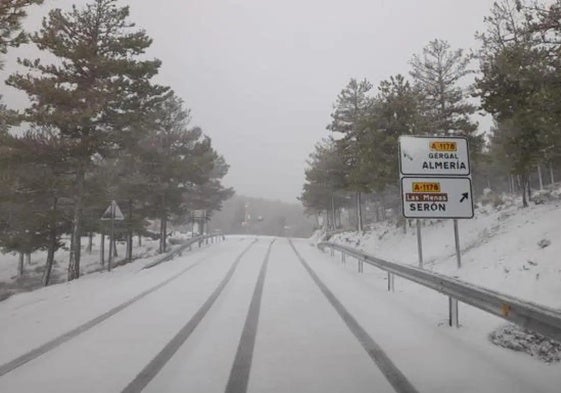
[239, 374]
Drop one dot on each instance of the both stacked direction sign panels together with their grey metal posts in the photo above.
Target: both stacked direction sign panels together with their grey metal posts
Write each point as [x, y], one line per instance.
[435, 178]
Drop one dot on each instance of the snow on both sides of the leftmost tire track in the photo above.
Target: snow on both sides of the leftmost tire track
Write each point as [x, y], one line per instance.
[107, 357]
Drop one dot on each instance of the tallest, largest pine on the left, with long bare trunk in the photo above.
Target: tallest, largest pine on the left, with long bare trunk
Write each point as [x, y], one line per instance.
[94, 95]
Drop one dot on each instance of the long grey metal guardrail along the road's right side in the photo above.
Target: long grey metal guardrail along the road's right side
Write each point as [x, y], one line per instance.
[541, 319]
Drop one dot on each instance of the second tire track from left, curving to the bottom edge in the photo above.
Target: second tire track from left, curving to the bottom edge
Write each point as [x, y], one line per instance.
[159, 361]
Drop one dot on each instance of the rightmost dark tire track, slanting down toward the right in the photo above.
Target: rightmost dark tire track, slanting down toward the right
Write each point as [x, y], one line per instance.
[394, 376]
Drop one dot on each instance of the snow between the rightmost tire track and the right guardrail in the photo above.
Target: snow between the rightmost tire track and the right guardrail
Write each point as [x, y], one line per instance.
[411, 327]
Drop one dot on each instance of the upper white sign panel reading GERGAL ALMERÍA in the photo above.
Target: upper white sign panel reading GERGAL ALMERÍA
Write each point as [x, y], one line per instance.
[433, 156]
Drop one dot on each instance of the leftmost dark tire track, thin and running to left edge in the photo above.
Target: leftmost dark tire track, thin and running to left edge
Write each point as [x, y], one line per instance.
[63, 338]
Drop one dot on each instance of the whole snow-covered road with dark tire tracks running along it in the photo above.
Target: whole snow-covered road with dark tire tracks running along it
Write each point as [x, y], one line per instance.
[256, 316]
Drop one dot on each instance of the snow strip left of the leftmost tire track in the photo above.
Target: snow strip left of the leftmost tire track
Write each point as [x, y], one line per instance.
[27, 320]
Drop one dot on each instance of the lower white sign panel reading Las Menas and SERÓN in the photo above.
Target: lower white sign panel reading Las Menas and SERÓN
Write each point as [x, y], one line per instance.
[437, 197]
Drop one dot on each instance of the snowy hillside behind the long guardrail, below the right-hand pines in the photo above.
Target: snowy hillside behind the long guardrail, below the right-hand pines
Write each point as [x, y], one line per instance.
[505, 248]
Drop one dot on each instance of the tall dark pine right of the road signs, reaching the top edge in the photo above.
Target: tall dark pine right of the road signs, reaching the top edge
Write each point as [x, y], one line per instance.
[512, 87]
